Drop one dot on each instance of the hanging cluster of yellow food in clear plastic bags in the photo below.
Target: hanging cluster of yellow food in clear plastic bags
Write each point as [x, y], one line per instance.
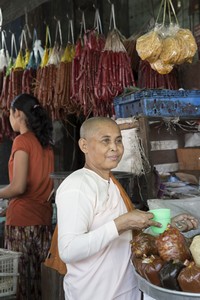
[167, 45]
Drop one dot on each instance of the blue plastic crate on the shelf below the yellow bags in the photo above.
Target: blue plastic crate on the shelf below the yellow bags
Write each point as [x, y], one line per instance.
[159, 103]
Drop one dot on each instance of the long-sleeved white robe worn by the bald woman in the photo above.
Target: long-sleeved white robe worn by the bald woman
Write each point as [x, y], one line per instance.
[97, 257]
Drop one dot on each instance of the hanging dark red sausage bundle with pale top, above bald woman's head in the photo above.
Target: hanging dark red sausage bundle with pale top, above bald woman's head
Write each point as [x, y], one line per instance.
[114, 70]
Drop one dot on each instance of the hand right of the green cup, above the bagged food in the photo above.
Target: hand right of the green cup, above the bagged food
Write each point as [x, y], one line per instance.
[185, 222]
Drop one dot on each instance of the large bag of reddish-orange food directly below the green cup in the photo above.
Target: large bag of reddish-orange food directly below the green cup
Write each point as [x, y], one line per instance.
[172, 245]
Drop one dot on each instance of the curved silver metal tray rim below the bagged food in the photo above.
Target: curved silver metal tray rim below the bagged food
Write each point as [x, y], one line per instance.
[159, 293]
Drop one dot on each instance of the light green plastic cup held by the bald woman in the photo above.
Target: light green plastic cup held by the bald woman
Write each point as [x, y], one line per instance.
[163, 216]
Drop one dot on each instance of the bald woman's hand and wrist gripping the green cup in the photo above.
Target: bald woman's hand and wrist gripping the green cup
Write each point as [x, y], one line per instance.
[135, 220]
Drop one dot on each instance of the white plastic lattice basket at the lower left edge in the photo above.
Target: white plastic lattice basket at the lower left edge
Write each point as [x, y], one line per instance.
[9, 261]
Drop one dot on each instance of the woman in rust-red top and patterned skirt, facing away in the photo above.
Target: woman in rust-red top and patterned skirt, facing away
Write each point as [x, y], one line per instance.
[29, 212]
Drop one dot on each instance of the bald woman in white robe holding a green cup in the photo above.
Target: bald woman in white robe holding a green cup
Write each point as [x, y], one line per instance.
[94, 226]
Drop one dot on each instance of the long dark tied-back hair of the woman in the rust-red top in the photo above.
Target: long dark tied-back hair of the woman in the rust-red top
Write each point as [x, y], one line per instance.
[38, 120]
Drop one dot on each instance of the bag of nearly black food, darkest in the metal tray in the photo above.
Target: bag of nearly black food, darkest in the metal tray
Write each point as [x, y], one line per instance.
[169, 273]
